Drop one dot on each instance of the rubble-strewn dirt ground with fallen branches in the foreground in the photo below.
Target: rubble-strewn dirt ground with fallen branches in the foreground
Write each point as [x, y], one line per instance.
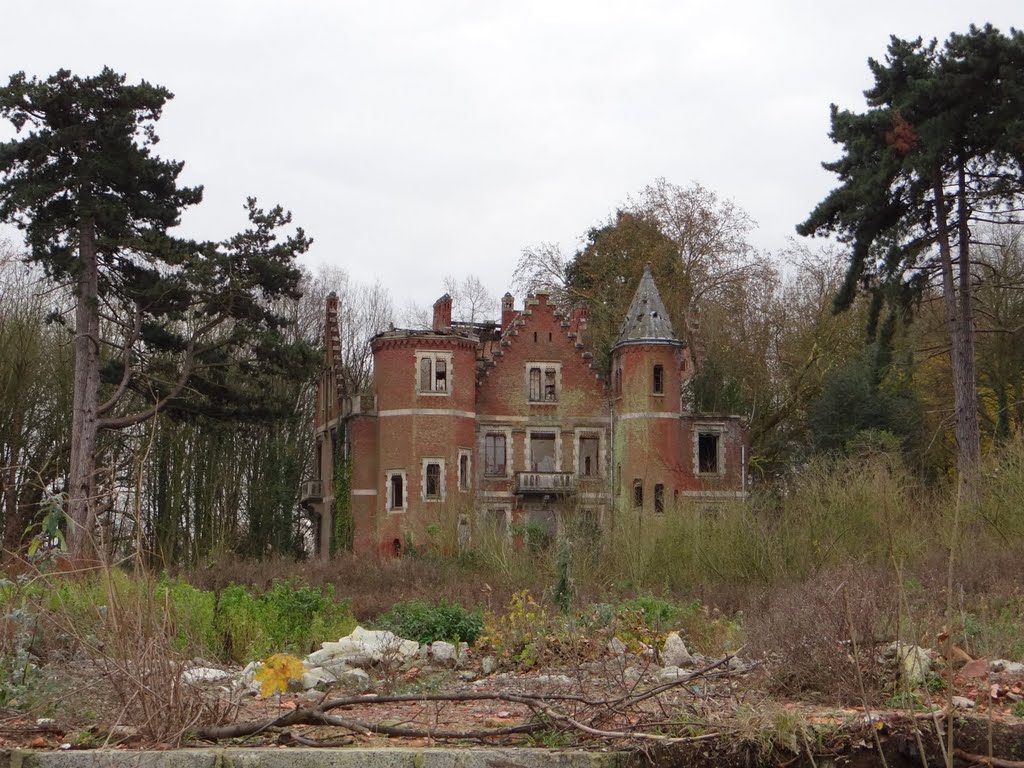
[720, 717]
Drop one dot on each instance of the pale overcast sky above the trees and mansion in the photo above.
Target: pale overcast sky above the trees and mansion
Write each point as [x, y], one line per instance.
[420, 139]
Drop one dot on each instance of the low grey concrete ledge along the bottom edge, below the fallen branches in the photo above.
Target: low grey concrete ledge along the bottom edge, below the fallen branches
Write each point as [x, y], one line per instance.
[318, 758]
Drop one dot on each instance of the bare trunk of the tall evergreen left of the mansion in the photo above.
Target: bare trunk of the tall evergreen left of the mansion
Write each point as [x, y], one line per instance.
[81, 481]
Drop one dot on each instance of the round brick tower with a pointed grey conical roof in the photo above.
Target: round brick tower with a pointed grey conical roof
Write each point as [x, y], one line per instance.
[647, 381]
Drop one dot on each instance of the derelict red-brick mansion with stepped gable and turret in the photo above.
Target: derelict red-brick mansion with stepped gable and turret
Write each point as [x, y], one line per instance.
[509, 422]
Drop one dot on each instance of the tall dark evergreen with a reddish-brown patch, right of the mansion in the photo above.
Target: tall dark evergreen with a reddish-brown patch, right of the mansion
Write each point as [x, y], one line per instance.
[938, 151]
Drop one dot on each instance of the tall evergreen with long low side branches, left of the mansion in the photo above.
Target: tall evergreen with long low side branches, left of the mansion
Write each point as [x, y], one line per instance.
[173, 325]
